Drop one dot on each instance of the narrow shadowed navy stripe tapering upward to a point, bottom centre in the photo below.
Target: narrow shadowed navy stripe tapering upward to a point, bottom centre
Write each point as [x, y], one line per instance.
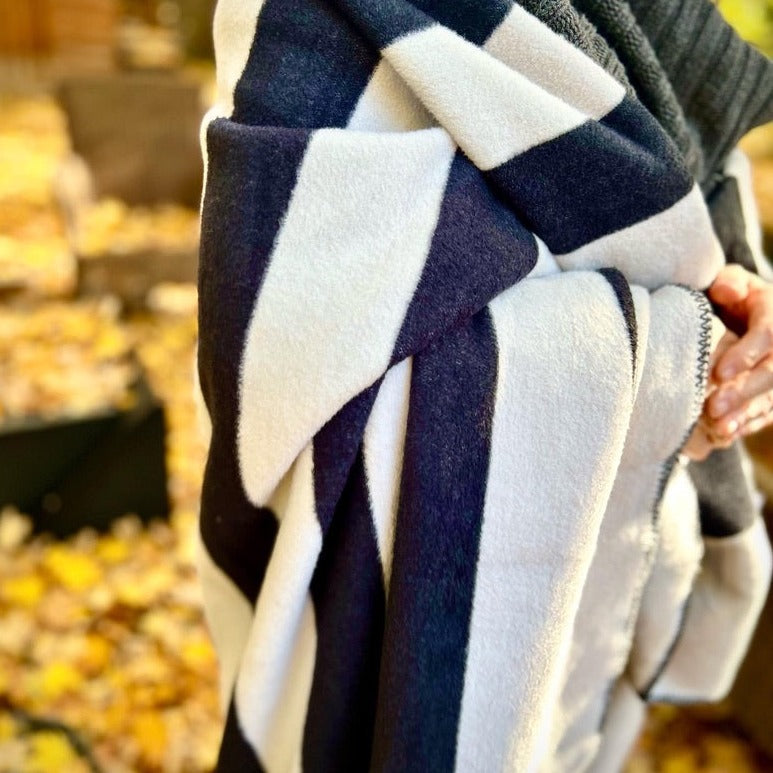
[349, 599]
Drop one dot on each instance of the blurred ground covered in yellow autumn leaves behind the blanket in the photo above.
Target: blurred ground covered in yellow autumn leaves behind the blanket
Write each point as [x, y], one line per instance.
[105, 661]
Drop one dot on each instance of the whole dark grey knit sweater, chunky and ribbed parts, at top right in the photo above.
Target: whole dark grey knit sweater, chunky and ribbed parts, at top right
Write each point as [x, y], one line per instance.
[705, 84]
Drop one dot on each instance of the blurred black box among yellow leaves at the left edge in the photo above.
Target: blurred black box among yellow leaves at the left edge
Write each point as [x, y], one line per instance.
[69, 473]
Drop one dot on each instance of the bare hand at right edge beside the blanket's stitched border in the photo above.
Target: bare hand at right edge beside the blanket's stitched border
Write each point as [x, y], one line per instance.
[740, 393]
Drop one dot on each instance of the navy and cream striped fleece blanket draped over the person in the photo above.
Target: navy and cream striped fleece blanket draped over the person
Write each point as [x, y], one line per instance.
[451, 344]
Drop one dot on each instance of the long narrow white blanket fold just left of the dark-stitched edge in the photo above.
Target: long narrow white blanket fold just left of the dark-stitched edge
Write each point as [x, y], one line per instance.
[625, 550]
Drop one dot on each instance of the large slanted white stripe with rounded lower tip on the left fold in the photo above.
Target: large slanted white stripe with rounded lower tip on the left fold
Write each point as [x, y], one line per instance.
[349, 255]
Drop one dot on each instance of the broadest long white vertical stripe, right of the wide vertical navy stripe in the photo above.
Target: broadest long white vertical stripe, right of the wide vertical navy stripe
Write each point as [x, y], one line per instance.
[532, 564]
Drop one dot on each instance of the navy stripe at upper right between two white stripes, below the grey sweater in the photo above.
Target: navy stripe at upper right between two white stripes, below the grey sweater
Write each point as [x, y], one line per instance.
[592, 181]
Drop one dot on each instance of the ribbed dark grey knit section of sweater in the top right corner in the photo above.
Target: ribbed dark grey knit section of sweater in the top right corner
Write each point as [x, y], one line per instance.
[724, 85]
